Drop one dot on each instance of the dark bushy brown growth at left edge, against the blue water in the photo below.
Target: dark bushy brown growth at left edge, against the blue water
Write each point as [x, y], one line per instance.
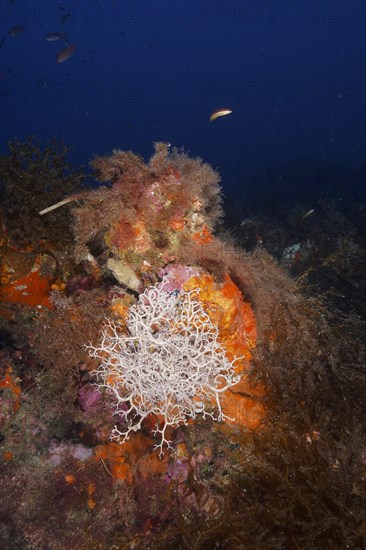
[33, 177]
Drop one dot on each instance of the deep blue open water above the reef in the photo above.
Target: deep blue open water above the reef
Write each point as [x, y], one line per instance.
[292, 72]
